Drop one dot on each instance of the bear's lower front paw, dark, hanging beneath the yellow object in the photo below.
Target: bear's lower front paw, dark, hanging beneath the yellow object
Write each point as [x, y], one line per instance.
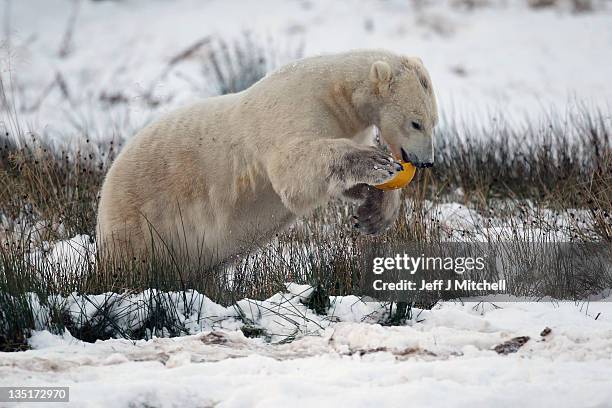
[377, 213]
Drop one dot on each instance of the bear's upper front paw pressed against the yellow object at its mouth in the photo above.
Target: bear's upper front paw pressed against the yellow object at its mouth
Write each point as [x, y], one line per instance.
[369, 165]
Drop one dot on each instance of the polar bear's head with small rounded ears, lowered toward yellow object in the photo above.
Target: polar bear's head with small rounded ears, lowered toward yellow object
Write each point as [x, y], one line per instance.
[399, 99]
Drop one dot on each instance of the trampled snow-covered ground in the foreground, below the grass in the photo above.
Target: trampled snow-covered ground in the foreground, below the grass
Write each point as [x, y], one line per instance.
[443, 357]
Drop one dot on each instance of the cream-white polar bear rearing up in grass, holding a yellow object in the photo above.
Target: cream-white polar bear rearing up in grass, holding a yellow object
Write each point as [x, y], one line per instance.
[216, 178]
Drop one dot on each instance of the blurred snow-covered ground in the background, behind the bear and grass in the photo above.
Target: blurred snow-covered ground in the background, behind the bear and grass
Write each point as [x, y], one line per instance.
[504, 57]
